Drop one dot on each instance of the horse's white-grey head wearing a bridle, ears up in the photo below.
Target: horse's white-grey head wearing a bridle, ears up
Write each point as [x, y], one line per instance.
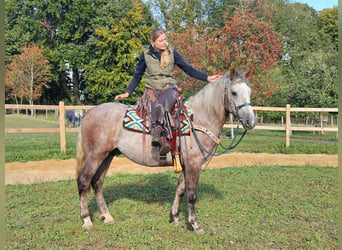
[238, 94]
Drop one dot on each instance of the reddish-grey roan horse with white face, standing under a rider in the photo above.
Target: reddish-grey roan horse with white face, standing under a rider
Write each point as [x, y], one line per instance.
[102, 137]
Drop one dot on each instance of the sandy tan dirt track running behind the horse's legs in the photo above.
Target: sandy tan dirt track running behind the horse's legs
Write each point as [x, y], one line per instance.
[55, 170]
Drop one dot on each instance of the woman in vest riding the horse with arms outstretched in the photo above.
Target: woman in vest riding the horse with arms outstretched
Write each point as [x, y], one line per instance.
[158, 62]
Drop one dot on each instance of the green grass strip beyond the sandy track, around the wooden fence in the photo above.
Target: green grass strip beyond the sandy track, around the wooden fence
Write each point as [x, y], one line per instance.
[42, 146]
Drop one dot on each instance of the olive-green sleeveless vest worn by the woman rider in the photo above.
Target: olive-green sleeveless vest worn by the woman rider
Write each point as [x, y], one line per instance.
[157, 78]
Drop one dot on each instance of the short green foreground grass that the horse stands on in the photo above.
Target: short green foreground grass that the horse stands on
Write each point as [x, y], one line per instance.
[278, 207]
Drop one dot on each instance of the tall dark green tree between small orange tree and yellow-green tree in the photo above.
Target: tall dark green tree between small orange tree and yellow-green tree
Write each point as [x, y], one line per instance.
[65, 28]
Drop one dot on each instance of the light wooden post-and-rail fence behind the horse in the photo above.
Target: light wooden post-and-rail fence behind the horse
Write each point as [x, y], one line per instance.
[286, 126]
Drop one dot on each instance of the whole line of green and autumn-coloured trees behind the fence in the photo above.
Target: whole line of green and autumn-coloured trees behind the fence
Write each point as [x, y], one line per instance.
[85, 51]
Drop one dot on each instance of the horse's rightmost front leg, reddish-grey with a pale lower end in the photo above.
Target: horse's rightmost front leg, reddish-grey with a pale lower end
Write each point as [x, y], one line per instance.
[192, 174]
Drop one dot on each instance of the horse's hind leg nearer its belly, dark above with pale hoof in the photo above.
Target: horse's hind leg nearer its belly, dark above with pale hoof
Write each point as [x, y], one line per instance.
[97, 184]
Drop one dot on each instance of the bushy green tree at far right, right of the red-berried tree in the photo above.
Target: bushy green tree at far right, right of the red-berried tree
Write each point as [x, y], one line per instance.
[309, 63]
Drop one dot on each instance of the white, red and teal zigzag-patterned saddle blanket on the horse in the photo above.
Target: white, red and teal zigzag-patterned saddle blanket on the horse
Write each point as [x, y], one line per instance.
[132, 121]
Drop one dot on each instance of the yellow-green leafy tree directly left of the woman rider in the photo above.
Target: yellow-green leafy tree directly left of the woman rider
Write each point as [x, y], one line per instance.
[117, 48]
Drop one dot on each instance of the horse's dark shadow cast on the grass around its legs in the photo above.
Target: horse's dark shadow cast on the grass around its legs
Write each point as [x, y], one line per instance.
[155, 188]
